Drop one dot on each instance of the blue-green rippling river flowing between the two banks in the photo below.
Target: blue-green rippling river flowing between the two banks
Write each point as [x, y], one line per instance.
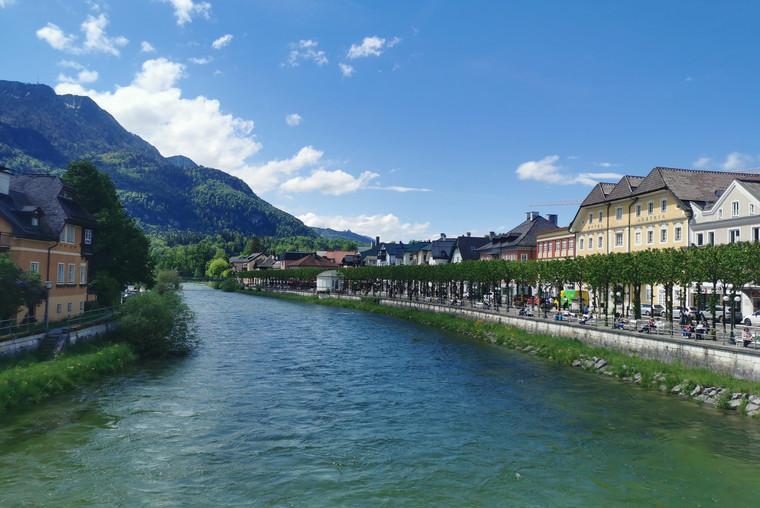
[289, 404]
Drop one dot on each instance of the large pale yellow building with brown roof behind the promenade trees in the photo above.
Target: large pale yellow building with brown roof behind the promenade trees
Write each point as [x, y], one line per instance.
[650, 212]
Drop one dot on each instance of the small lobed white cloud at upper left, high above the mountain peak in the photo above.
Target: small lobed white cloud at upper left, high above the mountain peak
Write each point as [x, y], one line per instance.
[95, 38]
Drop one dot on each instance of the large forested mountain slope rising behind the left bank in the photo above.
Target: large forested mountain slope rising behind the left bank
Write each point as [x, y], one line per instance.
[41, 132]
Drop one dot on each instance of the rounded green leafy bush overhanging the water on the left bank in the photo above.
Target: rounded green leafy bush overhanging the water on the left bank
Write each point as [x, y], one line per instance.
[158, 325]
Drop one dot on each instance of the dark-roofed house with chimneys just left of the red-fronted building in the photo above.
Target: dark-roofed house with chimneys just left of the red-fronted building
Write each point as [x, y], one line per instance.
[519, 244]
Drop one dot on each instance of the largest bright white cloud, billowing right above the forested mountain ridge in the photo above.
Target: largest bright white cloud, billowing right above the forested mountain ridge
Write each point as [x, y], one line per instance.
[153, 107]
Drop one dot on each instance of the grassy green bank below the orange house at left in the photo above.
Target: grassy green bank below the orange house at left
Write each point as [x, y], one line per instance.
[29, 382]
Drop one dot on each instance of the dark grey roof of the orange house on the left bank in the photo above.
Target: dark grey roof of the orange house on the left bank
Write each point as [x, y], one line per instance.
[49, 199]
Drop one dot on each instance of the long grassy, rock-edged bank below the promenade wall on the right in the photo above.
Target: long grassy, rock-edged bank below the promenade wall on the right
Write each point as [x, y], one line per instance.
[688, 382]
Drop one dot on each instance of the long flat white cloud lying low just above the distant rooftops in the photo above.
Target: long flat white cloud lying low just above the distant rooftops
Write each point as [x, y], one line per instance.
[387, 226]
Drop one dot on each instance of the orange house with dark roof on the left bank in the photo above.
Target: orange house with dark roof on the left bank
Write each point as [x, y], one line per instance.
[45, 231]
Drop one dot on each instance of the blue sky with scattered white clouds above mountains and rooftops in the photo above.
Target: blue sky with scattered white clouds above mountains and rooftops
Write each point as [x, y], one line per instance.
[413, 118]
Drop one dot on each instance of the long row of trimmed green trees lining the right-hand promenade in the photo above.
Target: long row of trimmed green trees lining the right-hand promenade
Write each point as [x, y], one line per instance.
[724, 269]
